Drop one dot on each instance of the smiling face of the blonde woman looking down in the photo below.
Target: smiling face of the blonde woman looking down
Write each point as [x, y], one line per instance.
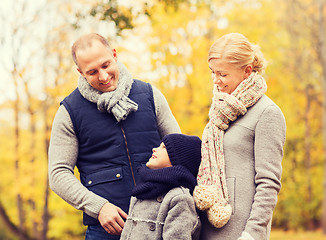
[227, 76]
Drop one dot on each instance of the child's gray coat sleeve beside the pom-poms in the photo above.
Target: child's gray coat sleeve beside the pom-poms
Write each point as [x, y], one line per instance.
[182, 221]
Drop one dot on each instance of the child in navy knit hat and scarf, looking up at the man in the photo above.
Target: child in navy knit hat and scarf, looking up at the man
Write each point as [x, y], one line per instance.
[162, 206]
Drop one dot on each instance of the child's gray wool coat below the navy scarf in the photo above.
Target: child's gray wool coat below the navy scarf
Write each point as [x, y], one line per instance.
[169, 217]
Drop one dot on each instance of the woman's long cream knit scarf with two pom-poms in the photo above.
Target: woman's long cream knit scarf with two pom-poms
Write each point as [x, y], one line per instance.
[211, 193]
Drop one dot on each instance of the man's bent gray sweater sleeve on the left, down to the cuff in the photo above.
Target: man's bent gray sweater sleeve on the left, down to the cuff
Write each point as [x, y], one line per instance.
[63, 151]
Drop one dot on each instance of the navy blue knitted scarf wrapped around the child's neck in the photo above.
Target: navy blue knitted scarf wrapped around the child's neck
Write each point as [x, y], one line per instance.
[156, 182]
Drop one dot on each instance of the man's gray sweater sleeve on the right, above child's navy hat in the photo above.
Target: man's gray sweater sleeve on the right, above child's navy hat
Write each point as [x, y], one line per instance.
[166, 122]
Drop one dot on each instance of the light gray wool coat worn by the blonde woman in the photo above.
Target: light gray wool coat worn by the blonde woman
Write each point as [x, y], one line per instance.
[253, 150]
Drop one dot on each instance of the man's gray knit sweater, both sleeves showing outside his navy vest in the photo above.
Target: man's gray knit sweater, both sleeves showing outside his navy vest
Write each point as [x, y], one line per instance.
[63, 152]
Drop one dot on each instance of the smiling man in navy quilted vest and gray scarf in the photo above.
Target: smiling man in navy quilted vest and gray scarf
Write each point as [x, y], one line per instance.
[106, 127]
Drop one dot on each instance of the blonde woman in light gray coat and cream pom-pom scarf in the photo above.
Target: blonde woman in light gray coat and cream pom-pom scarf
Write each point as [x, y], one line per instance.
[242, 146]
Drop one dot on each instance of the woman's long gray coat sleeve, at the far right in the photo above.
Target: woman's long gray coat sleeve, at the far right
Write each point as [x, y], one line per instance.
[269, 141]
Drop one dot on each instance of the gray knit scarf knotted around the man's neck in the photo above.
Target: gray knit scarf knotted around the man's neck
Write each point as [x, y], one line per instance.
[115, 102]
